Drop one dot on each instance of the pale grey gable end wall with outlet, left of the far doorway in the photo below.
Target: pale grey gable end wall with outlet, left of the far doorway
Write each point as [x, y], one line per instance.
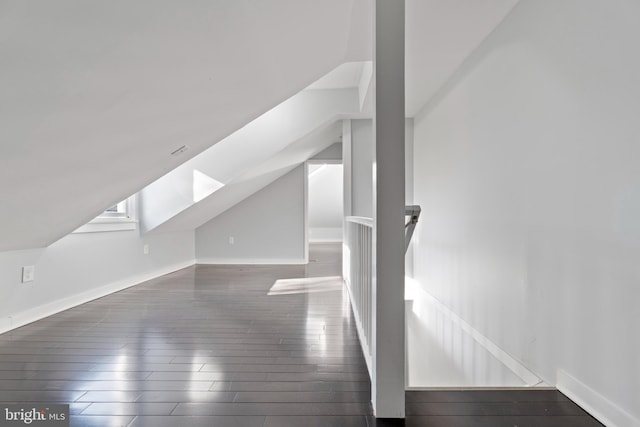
[267, 227]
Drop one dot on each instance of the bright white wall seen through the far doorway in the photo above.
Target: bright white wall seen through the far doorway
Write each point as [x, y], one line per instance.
[325, 202]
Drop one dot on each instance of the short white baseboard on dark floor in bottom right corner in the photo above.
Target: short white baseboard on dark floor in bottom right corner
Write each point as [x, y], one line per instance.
[601, 408]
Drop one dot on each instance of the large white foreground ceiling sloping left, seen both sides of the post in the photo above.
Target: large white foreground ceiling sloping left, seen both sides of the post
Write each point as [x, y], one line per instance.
[95, 95]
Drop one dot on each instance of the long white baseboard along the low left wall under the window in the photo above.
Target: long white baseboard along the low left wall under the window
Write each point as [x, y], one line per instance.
[40, 312]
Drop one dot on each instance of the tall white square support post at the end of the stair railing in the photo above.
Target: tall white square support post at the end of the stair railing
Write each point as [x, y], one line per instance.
[389, 201]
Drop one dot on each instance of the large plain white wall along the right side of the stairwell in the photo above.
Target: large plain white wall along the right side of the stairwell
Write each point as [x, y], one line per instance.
[526, 167]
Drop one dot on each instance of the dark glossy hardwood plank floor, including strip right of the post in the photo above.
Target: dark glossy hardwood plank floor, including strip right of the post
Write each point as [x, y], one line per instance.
[209, 346]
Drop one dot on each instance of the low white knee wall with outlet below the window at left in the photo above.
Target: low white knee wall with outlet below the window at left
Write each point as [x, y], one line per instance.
[84, 266]
